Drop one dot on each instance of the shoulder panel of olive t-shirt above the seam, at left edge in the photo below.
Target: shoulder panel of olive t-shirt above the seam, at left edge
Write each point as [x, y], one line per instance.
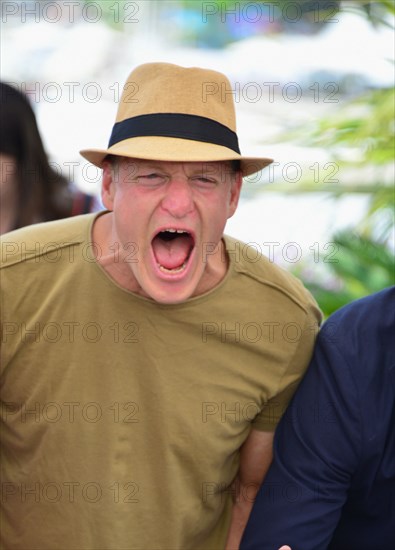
[34, 241]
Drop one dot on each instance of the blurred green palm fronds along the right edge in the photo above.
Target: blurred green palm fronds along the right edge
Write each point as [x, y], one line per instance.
[365, 126]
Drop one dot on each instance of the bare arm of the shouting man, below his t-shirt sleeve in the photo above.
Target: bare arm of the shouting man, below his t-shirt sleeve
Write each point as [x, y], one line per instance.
[255, 458]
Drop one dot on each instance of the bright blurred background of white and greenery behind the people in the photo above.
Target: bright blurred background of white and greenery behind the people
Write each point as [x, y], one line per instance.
[313, 83]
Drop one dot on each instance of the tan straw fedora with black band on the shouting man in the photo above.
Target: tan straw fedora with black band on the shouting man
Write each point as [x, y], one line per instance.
[178, 114]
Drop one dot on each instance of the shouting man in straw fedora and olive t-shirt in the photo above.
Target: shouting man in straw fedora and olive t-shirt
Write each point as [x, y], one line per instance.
[147, 358]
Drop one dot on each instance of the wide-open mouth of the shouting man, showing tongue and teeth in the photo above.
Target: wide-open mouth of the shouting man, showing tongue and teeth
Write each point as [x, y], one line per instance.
[172, 249]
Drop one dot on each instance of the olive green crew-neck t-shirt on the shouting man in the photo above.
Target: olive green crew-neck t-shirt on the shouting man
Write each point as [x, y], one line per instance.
[122, 418]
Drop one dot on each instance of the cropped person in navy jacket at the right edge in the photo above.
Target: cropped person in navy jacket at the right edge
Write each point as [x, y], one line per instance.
[332, 481]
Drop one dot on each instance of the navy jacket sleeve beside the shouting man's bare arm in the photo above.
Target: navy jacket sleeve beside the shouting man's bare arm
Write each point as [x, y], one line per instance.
[316, 450]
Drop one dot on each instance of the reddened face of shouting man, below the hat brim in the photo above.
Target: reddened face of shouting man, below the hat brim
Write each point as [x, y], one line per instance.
[168, 219]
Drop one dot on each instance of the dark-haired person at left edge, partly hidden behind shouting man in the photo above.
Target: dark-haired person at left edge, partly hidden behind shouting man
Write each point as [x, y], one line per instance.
[31, 190]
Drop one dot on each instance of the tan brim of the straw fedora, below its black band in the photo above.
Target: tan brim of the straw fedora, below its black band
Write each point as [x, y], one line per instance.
[172, 149]
